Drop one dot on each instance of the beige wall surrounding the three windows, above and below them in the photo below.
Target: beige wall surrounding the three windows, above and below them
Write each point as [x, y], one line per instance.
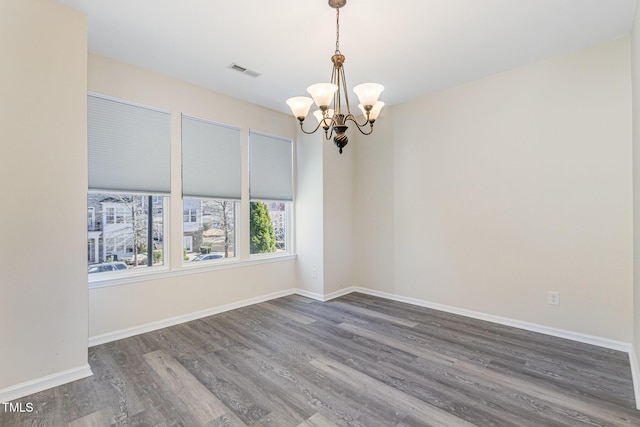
[133, 305]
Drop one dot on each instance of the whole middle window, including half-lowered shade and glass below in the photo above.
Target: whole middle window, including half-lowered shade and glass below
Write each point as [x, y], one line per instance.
[211, 189]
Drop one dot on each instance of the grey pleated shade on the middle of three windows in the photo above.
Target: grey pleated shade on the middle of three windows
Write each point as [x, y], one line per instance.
[211, 165]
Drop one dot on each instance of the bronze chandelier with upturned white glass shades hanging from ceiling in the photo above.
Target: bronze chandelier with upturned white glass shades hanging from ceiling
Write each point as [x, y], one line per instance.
[332, 114]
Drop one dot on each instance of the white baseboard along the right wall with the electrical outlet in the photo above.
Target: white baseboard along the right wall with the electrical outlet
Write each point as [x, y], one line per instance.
[561, 333]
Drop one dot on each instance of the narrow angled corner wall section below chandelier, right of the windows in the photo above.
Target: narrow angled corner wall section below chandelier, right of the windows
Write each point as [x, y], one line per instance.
[325, 215]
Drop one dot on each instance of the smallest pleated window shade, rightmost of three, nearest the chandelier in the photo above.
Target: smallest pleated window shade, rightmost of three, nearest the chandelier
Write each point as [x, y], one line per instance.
[270, 168]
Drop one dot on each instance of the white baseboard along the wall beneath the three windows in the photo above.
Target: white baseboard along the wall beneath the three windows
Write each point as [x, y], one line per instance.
[165, 323]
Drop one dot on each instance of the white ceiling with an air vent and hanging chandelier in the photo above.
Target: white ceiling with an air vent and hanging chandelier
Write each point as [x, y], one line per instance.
[413, 47]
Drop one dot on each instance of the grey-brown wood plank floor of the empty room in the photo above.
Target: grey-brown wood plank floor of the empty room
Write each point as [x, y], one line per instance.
[354, 361]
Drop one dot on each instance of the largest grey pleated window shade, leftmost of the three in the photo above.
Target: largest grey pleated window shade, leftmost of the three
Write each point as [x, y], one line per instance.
[129, 147]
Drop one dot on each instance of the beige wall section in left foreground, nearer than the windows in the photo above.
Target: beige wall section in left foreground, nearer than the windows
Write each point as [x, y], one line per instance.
[43, 174]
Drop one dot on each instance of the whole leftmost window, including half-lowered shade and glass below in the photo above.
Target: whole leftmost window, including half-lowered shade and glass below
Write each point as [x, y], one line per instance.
[129, 181]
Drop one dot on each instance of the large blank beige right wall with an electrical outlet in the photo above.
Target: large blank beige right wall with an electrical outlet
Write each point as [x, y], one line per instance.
[512, 186]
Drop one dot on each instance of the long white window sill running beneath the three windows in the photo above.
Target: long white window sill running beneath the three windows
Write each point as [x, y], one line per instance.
[156, 273]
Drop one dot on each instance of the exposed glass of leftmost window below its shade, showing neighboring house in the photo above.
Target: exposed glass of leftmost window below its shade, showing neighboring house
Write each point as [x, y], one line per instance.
[132, 231]
